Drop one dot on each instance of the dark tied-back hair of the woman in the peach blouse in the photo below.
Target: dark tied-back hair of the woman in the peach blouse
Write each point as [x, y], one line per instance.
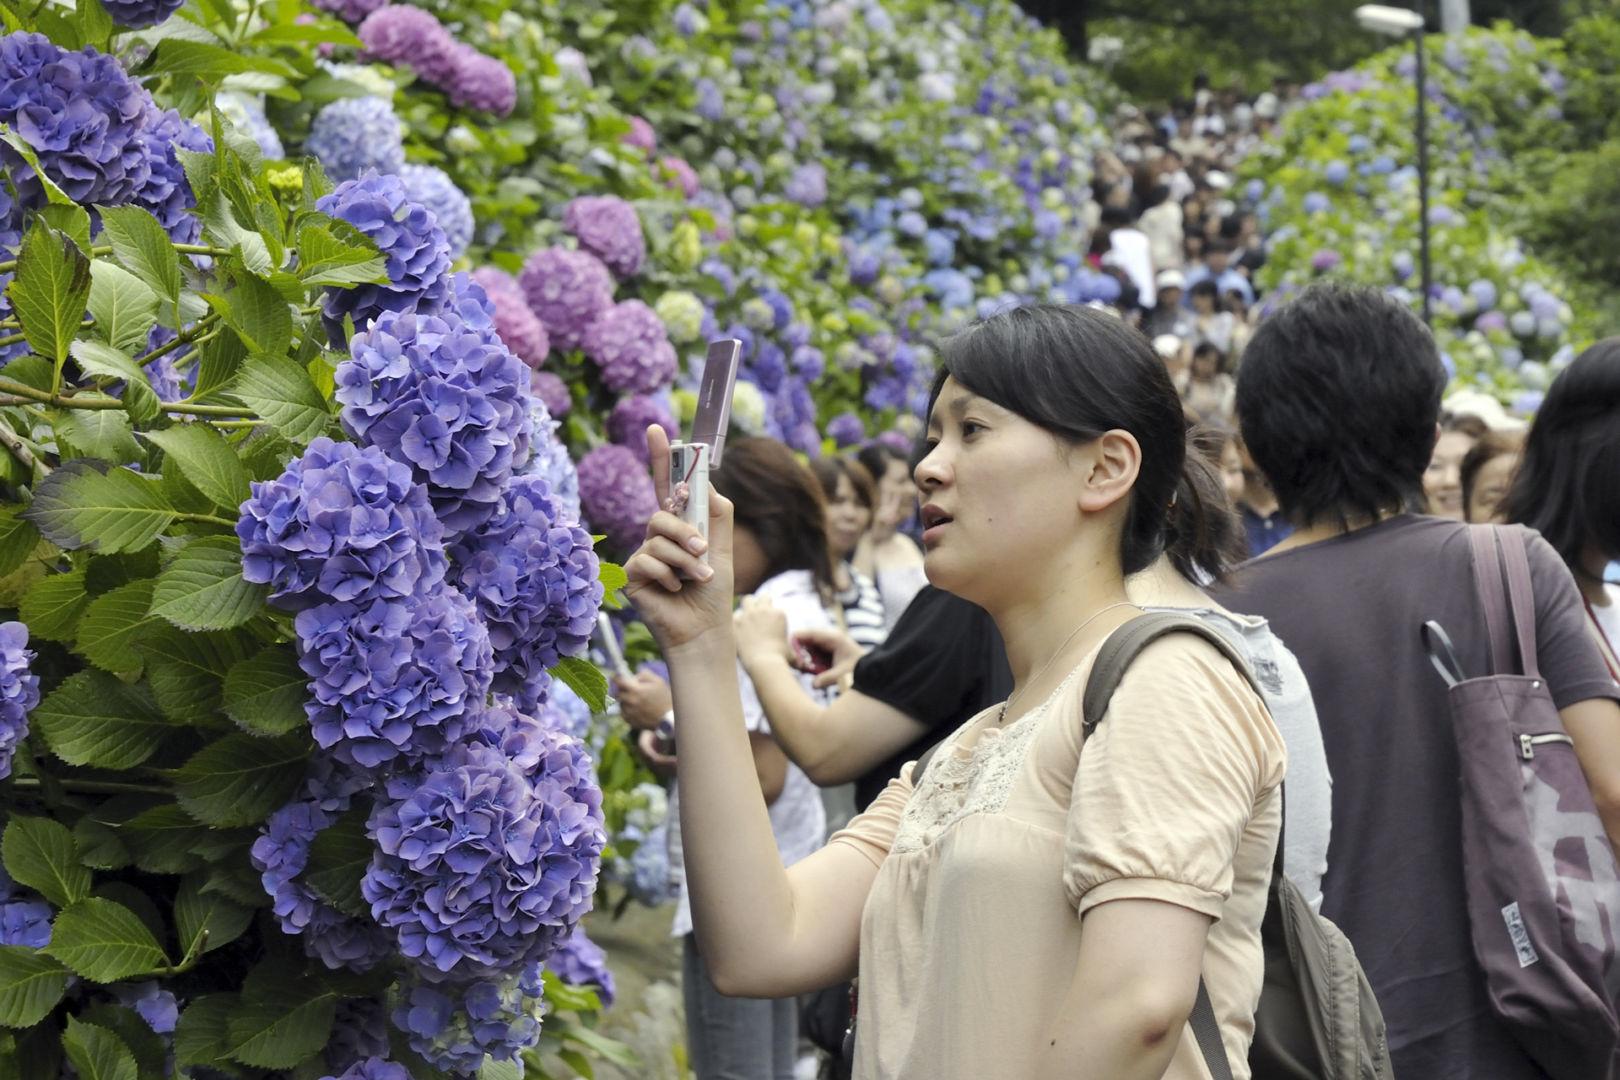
[1080, 373]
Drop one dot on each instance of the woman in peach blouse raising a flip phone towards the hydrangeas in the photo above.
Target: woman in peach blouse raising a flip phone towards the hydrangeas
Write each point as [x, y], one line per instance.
[1028, 911]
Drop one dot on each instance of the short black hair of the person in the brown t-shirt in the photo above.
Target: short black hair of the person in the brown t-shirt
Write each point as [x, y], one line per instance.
[1337, 399]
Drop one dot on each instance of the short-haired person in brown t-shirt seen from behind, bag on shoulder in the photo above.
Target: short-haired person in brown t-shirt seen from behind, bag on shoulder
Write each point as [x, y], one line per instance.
[1339, 401]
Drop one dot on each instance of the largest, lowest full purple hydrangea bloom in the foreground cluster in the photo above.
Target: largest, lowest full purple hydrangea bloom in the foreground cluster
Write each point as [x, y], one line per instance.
[482, 865]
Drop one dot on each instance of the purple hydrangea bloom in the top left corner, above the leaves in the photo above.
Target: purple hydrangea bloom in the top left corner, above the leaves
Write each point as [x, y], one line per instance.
[82, 114]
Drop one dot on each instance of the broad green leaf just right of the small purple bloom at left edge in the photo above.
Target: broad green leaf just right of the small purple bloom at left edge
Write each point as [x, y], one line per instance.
[96, 720]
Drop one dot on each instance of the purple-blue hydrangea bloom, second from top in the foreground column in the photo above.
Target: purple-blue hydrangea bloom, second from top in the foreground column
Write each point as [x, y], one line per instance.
[443, 394]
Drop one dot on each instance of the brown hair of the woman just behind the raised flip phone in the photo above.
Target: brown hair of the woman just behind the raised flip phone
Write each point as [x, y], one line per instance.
[780, 503]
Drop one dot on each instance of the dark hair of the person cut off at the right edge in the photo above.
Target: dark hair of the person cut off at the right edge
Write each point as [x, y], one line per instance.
[1567, 487]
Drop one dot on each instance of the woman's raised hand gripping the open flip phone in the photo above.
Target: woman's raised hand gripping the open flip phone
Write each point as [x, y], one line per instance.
[680, 597]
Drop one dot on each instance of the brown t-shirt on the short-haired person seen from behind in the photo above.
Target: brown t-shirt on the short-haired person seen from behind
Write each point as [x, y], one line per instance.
[1350, 610]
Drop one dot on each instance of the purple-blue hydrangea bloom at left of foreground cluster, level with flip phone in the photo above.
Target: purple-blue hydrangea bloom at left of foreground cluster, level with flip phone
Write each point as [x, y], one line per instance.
[343, 524]
